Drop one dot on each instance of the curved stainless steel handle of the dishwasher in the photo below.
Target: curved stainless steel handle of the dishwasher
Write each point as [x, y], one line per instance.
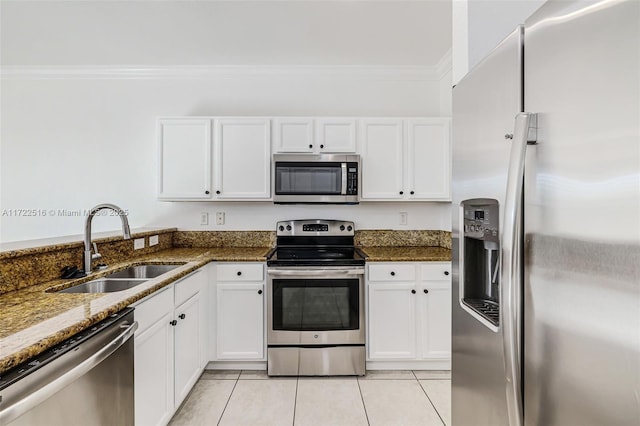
[25, 404]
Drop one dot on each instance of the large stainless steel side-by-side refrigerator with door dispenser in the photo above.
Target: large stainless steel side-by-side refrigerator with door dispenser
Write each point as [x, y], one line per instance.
[546, 223]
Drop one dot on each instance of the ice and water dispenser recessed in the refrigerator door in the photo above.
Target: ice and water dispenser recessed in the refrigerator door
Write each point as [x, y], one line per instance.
[480, 279]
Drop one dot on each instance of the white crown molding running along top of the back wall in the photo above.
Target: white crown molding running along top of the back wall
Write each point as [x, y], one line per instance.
[128, 72]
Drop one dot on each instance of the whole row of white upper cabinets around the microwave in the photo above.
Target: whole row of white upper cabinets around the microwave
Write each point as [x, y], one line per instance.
[229, 158]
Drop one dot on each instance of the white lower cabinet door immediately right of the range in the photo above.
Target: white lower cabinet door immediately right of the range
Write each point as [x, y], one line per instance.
[392, 320]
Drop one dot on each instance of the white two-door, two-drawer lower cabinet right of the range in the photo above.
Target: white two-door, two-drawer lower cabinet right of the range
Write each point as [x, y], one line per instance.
[409, 313]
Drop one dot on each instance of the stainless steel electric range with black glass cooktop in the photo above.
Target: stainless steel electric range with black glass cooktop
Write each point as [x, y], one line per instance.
[315, 300]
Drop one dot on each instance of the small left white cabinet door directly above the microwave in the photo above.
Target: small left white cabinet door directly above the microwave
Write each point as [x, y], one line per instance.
[293, 134]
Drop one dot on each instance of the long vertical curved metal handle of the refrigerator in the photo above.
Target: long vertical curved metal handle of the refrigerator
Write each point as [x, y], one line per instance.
[511, 270]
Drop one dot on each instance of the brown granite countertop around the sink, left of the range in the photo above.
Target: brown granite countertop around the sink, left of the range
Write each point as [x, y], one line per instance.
[34, 320]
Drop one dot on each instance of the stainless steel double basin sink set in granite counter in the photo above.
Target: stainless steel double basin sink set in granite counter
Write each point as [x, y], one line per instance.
[121, 280]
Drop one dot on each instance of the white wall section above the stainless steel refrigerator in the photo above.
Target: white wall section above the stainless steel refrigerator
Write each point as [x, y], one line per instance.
[479, 25]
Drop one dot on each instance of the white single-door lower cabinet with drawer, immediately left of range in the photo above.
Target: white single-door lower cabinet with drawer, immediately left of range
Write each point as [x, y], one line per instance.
[240, 300]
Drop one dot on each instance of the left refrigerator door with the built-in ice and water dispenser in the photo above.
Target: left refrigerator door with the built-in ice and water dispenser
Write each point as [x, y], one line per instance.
[485, 103]
